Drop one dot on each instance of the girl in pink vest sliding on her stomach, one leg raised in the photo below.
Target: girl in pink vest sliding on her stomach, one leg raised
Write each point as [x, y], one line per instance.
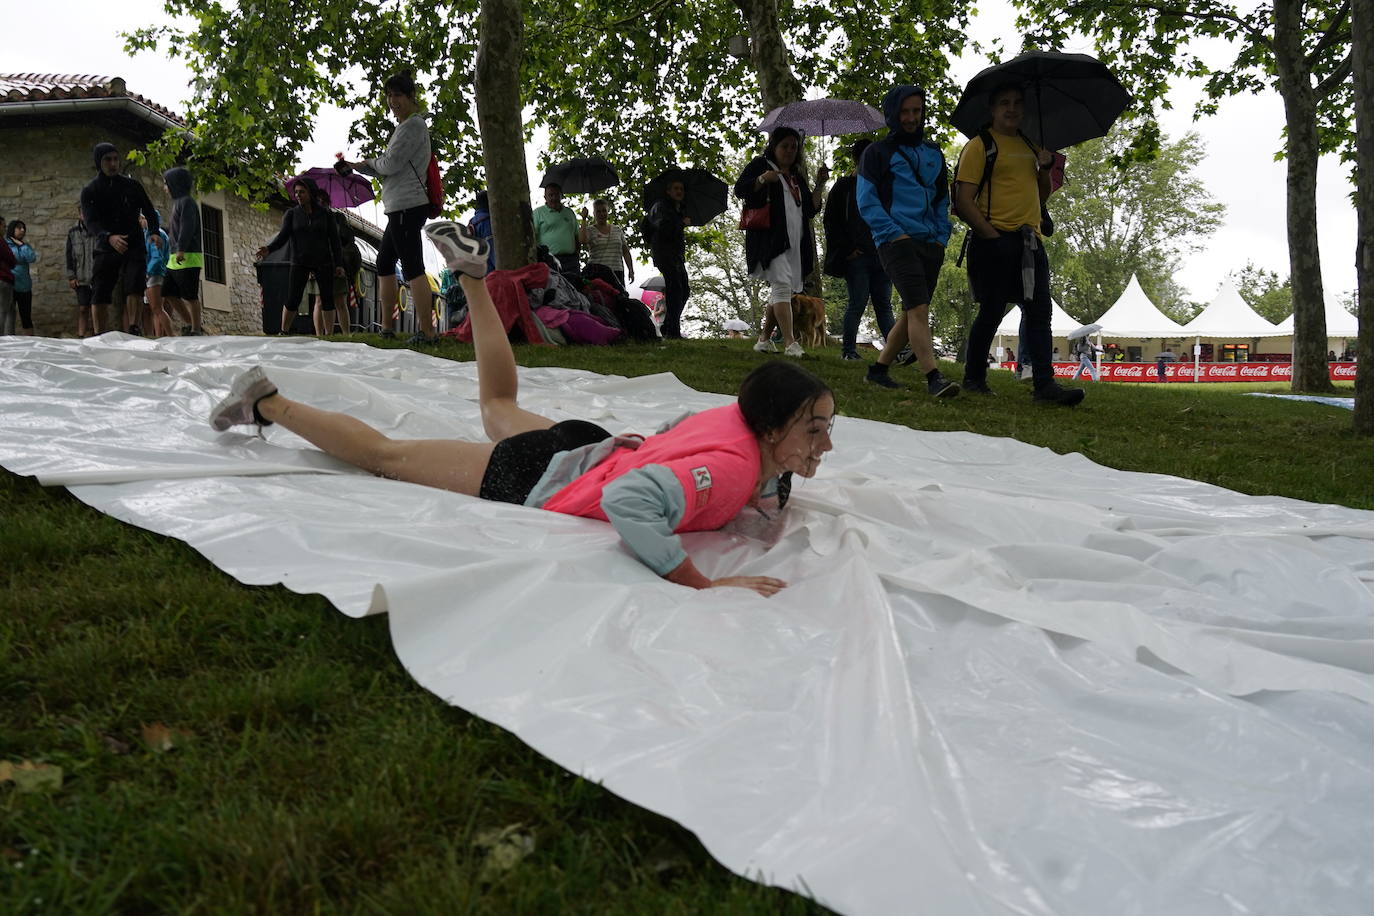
[697, 476]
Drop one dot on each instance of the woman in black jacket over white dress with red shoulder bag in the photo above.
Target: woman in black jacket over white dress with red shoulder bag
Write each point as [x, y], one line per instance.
[781, 253]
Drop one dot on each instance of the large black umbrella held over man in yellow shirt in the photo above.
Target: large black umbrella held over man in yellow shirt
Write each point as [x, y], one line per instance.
[1070, 98]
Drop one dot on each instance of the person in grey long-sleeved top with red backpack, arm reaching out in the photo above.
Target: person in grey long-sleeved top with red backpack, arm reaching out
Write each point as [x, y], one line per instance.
[406, 201]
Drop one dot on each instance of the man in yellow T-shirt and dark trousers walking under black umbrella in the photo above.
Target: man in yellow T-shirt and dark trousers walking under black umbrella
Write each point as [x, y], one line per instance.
[1006, 255]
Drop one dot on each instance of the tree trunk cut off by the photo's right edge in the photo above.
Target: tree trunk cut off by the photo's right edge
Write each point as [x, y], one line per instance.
[1362, 50]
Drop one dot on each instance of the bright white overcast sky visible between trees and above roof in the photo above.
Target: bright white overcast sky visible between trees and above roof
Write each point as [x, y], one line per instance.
[82, 36]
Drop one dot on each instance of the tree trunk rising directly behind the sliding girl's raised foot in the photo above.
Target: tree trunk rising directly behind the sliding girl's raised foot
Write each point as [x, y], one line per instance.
[499, 53]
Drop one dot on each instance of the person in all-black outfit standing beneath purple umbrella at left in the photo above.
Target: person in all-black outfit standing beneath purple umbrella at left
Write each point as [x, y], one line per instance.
[315, 251]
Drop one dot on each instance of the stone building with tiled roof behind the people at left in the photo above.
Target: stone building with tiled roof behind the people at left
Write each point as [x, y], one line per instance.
[49, 127]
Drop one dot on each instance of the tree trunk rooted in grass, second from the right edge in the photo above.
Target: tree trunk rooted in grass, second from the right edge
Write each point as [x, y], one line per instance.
[1310, 369]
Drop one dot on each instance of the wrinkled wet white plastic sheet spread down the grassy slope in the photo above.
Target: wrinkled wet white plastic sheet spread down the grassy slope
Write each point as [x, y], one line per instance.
[1001, 682]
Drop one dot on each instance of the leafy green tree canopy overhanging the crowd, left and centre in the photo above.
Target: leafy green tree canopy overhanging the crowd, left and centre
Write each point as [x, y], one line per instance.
[646, 86]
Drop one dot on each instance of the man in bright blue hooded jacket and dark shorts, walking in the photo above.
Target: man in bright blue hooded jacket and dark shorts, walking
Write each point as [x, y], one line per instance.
[905, 198]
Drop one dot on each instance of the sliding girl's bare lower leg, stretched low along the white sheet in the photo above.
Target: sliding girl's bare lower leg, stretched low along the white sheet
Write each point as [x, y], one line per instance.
[449, 465]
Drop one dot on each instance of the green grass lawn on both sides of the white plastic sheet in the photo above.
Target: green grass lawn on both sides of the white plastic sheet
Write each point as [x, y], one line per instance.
[311, 774]
